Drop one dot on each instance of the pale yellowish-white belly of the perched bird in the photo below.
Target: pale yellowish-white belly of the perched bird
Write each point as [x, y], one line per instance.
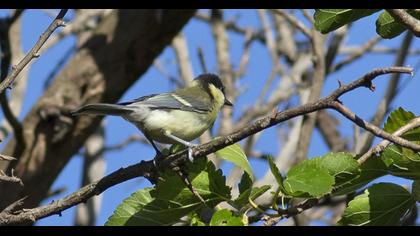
[184, 126]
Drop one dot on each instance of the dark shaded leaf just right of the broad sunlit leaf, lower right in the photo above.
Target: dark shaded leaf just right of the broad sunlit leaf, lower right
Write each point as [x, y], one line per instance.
[371, 169]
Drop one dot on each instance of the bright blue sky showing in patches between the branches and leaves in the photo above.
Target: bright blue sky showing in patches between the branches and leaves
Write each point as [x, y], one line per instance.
[362, 101]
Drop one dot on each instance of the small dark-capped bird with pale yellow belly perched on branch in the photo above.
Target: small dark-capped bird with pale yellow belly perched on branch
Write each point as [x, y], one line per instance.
[174, 117]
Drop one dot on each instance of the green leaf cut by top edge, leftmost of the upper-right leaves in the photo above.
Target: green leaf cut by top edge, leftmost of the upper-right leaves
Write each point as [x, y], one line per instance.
[327, 20]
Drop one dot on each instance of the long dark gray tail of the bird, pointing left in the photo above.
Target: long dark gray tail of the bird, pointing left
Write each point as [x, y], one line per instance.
[101, 109]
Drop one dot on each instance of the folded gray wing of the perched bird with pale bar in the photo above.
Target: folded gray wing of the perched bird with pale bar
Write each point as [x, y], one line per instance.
[170, 101]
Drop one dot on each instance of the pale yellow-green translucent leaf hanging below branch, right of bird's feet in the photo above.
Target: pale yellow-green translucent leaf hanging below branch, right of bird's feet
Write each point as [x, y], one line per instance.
[236, 155]
